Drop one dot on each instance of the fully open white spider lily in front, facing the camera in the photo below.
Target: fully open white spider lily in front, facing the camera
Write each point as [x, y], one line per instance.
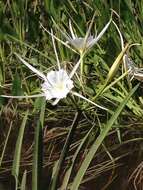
[57, 84]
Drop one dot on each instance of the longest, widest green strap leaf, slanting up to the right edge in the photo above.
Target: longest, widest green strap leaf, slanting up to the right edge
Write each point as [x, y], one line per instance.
[86, 162]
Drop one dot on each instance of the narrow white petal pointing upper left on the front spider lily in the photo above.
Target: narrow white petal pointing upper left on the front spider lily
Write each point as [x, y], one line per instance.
[32, 68]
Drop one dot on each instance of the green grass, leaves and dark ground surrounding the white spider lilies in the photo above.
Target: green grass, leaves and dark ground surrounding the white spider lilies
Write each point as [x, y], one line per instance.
[73, 145]
